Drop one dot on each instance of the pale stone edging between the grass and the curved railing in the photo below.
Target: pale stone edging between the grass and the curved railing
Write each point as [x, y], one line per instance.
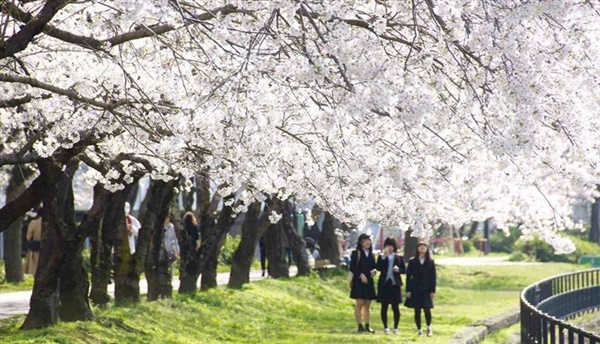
[477, 332]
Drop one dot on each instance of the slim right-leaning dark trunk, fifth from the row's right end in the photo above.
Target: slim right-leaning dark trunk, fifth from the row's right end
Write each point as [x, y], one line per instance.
[211, 247]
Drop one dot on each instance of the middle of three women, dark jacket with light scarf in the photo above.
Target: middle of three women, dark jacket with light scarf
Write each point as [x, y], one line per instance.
[389, 293]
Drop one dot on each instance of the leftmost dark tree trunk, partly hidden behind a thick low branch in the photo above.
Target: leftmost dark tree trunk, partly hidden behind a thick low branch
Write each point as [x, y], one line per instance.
[12, 236]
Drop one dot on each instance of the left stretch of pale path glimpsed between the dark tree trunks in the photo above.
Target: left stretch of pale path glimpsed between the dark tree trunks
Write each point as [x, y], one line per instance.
[15, 303]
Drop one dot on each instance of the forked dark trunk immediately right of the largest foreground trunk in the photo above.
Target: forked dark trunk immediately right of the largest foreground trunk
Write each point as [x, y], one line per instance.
[74, 284]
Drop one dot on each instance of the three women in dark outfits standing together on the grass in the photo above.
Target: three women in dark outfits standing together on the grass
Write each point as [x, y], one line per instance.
[420, 283]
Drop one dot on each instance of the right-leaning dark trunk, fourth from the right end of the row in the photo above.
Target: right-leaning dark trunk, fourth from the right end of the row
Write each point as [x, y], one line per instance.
[253, 228]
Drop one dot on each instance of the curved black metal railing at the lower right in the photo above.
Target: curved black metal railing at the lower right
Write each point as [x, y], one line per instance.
[546, 304]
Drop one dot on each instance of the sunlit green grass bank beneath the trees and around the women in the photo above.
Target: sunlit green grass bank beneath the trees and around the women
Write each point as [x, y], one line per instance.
[291, 311]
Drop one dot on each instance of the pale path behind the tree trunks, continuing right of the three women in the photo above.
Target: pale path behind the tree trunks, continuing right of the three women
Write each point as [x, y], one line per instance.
[15, 303]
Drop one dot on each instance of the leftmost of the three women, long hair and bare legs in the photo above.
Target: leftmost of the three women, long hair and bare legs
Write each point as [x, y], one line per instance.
[362, 288]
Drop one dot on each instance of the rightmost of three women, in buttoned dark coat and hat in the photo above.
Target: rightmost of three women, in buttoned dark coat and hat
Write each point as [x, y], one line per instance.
[420, 286]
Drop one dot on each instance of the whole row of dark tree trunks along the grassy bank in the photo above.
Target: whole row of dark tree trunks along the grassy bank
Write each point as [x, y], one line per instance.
[62, 288]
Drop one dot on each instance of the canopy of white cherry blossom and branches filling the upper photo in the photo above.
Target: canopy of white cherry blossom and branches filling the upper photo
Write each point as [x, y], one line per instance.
[400, 112]
